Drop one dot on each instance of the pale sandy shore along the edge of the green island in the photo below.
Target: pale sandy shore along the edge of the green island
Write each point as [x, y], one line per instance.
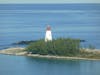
[20, 52]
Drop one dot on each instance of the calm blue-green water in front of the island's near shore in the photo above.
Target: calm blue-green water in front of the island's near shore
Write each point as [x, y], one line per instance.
[20, 65]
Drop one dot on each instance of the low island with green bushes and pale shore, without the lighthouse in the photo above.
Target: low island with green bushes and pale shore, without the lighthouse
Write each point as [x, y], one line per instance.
[64, 48]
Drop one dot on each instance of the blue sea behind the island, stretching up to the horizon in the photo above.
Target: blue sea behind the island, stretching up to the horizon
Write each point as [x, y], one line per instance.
[22, 22]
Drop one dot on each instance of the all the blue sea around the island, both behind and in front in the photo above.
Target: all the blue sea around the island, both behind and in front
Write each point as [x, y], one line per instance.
[28, 22]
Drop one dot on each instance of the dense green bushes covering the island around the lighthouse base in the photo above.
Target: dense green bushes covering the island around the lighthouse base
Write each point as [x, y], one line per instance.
[61, 46]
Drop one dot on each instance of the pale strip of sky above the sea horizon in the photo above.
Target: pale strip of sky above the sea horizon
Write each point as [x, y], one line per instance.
[48, 1]
